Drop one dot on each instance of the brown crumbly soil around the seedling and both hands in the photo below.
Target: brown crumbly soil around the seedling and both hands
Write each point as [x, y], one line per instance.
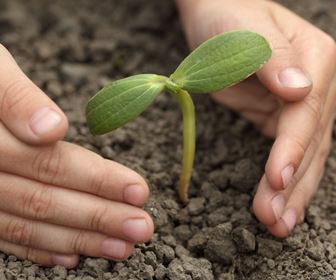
[71, 49]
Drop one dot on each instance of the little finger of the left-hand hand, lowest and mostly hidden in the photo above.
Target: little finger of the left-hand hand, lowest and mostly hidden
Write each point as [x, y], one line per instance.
[42, 257]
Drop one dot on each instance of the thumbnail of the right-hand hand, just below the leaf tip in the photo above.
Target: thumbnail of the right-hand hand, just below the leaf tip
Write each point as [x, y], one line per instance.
[294, 78]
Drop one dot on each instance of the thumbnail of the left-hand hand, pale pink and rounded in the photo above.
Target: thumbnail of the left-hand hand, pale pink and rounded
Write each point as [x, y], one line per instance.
[44, 121]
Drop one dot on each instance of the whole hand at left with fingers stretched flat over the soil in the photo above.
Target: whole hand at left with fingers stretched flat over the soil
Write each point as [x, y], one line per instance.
[58, 200]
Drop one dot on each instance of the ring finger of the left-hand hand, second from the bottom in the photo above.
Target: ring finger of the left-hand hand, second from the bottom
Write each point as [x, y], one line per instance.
[62, 240]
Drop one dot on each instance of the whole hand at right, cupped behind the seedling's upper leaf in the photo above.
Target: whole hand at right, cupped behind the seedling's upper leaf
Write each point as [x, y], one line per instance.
[292, 99]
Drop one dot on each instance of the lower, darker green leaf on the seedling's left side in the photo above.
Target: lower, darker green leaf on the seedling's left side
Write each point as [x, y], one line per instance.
[121, 101]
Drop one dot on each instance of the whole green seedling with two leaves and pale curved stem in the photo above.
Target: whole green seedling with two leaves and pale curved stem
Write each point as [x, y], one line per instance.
[218, 63]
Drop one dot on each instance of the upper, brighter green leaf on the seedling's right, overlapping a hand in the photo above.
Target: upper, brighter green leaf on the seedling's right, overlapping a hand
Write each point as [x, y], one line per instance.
[222, 61]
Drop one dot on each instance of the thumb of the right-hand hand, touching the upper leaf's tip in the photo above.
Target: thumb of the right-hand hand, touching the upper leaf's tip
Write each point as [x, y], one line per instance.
[284, 74]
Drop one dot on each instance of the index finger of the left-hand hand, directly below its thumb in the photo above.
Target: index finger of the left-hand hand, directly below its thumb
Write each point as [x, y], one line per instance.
[70, 166]
